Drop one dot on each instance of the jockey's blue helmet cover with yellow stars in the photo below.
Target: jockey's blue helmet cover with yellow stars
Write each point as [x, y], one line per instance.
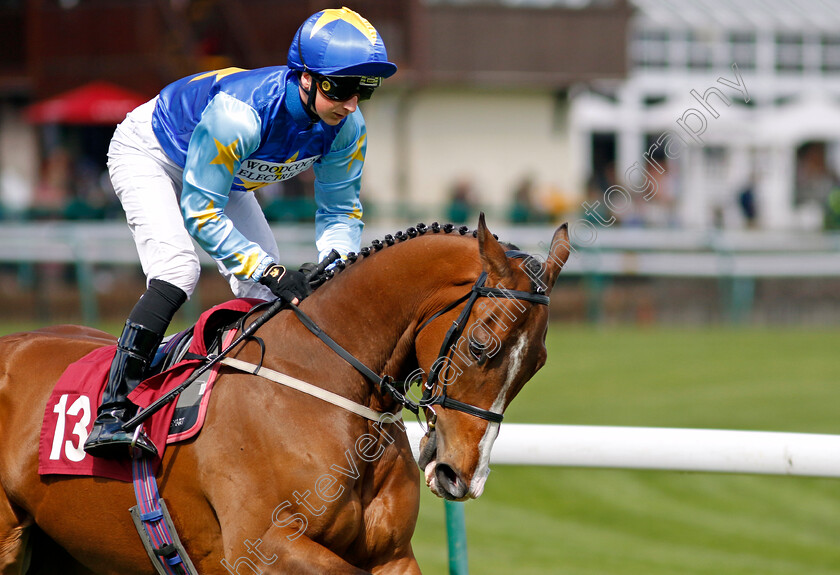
[339, 42]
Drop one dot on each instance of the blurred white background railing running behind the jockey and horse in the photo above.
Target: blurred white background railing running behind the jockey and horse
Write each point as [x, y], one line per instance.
[737, 257]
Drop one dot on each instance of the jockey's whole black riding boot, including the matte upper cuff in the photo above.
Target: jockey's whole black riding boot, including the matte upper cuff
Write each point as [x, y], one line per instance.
[136, 347]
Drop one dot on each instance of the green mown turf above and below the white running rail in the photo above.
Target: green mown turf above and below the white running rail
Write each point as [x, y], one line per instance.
[617, 522]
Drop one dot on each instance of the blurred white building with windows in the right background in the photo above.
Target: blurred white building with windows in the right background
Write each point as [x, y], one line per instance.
[747, 95]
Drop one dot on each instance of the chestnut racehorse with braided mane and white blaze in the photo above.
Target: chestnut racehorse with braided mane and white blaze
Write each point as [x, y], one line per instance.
[279, 481]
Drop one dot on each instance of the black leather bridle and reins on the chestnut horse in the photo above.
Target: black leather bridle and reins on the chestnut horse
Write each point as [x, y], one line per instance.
[386, 383]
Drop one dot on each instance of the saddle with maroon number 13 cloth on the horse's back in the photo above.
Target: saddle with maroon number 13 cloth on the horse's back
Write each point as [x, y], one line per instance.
[71, 407]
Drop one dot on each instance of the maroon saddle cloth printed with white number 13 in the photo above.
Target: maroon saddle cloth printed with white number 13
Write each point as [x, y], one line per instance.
[71, 408]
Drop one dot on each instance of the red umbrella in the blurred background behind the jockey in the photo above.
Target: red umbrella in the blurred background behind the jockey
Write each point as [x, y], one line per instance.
[94, 103]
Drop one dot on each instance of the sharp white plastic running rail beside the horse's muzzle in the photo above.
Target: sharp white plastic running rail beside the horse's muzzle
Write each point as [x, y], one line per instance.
[702, 450]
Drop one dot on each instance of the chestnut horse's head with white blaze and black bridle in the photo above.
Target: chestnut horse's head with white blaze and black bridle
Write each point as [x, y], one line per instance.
[493, 343]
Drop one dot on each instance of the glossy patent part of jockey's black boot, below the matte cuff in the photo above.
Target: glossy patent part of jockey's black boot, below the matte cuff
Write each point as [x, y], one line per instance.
[135, 349]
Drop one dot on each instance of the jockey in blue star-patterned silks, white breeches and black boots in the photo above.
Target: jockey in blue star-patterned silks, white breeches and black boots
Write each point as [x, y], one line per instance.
[184, 166]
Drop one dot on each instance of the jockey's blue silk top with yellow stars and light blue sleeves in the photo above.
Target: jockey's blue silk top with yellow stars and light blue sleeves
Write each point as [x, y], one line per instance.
[234, 131]
